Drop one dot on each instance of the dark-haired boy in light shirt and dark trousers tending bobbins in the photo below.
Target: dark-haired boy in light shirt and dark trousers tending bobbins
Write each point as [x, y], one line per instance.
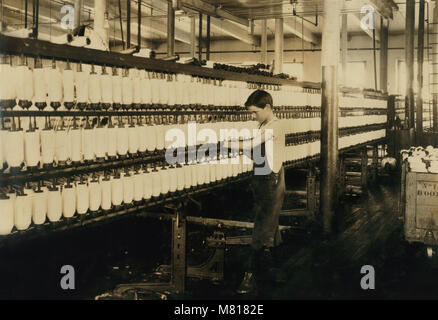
[268, 186]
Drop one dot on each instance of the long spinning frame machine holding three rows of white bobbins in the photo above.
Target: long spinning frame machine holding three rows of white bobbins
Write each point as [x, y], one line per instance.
[82, 140]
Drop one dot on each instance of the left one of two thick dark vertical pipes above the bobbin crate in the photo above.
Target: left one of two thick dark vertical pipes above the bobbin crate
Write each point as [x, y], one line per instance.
[409, 58]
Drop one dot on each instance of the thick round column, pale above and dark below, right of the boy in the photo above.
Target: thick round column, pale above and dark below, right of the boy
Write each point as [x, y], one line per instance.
[329, 111]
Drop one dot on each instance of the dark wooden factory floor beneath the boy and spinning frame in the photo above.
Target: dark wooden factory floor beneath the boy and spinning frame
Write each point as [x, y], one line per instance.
[370, 232]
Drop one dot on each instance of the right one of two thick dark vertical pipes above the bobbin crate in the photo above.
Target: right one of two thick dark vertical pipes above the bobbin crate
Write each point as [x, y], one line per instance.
[420, 67]
